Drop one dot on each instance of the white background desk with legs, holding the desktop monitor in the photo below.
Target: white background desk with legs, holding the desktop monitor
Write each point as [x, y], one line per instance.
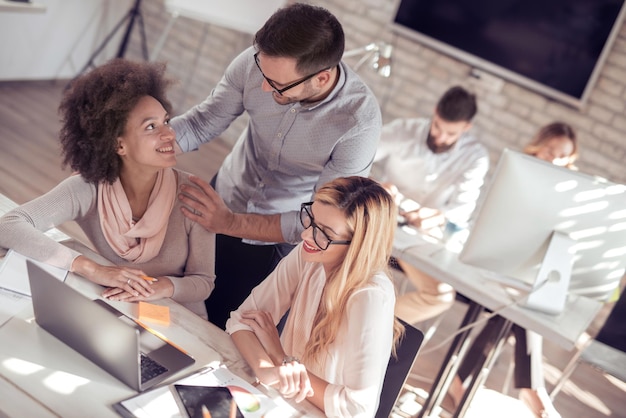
[443, 264]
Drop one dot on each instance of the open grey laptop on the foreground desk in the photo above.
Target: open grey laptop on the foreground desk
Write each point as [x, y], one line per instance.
[102, 334]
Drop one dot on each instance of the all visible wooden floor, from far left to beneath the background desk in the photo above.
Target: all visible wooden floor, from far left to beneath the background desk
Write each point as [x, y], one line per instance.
[30, 165]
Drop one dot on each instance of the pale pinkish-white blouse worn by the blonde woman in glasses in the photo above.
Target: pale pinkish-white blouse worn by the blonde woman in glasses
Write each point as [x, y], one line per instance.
[357, 360]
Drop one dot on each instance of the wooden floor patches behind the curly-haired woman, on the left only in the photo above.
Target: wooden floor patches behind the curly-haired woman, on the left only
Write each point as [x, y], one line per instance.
[30, 161]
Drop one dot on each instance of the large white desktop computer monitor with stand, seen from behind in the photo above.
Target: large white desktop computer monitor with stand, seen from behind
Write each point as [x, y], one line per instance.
[552, 228]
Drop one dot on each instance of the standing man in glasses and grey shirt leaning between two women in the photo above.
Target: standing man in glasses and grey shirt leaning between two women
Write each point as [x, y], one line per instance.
[311, 119]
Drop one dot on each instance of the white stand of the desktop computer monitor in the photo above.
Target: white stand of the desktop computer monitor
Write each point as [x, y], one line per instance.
[550, 290]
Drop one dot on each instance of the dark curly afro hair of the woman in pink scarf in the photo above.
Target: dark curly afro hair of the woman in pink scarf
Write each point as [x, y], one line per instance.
[95, 109]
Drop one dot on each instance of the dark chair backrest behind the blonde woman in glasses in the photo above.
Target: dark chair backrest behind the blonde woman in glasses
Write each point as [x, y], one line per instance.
[399, 368]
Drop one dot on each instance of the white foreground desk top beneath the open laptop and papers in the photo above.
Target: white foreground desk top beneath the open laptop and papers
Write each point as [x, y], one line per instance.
[41, 376]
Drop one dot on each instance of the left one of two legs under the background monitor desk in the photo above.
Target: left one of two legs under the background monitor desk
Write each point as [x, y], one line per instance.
[450, 363]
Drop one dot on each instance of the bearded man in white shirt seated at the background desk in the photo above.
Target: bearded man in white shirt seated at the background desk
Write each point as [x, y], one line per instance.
[435, 169]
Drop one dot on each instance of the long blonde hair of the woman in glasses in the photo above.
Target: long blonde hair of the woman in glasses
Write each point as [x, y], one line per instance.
[371, 217]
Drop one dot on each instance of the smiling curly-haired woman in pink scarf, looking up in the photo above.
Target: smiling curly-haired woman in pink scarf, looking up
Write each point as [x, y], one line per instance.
[116, 136]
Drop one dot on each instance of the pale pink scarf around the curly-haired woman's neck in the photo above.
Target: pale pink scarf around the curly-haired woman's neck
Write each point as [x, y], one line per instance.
[137, 242]
